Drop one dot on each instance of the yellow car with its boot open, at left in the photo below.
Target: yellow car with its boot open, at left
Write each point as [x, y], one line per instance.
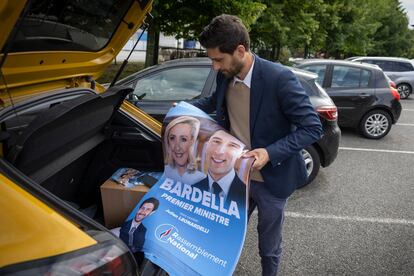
[62, 135]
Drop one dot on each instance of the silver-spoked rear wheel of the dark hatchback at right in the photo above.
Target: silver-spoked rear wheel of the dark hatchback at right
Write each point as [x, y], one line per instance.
[375, 124]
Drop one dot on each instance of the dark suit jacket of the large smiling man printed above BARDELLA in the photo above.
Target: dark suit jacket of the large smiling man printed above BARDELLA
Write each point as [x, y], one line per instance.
[237, 191]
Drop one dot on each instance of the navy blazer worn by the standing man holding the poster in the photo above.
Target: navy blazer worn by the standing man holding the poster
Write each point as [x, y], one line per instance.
[282, 120]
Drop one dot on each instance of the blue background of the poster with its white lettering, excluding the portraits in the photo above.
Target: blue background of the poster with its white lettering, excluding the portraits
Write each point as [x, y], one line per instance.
[180, 238]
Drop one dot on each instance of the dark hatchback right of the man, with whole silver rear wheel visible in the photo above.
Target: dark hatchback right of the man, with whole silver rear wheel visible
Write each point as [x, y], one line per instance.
[362, 93]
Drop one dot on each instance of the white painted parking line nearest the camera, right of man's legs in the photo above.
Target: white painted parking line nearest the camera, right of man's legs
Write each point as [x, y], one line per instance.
[350, 218]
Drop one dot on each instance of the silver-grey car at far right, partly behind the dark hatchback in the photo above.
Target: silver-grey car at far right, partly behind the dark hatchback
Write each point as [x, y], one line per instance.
[400, 71]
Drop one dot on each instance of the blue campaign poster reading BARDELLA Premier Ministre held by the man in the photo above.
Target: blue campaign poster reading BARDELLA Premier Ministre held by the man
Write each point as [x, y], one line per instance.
[193, 220]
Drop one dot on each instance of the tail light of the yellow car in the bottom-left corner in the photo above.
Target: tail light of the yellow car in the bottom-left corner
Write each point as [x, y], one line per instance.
[99, 260]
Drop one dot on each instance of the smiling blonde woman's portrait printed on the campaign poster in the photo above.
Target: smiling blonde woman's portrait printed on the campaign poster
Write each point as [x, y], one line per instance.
[180, 153]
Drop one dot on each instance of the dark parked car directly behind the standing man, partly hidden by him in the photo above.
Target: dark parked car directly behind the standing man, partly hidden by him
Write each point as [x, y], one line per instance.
[158, 87]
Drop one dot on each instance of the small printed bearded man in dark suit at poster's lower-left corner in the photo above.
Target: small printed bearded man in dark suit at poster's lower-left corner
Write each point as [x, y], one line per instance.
[132, 232]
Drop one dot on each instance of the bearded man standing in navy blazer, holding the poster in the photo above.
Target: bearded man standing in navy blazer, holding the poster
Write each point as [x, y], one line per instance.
[263, 104]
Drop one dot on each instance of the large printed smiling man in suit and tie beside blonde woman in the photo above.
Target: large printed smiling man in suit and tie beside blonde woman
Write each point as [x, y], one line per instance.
[222, 151]
